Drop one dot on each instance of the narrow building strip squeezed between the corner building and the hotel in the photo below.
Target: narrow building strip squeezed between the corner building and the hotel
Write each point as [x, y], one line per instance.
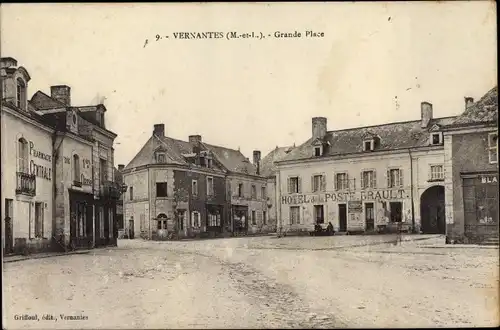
[269, 171]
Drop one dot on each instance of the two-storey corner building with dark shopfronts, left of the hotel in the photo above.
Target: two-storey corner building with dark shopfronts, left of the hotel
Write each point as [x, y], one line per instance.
[191, 188]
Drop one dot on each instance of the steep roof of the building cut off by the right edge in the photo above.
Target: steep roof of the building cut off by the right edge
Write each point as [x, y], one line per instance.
[481, 112]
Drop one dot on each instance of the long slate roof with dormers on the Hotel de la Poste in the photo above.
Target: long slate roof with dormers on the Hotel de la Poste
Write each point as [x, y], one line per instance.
[392, 136]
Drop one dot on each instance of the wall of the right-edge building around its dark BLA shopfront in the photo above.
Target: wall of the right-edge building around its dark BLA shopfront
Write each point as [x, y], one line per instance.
[468, 153]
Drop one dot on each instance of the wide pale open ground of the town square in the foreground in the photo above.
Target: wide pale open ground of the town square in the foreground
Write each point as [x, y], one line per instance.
[260, 282]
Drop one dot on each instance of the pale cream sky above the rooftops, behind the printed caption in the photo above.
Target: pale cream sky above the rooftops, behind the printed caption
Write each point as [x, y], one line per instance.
[375, 64]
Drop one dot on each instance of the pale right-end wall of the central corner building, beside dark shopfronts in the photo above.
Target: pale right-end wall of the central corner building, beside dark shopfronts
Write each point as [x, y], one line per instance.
[258, 204]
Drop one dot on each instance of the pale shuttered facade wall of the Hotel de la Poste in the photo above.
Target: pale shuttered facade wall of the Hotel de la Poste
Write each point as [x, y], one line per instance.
[331, 198]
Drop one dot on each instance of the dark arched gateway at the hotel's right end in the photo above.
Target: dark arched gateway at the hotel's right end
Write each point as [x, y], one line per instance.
[432, 212]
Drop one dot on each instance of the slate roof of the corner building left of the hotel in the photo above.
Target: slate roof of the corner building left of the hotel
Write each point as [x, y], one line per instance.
[230, 159]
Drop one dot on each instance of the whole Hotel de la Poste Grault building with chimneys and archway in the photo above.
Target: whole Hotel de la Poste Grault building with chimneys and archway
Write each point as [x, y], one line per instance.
[366, 179]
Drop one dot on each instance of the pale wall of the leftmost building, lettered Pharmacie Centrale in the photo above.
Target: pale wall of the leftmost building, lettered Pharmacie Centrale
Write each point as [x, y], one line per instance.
[14, 126]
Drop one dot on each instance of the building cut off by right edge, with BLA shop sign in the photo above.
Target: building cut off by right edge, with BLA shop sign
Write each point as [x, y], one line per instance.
[471, 163]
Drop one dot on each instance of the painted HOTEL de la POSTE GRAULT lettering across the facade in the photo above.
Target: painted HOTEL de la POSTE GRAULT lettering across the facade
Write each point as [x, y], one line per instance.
[388, 194]
